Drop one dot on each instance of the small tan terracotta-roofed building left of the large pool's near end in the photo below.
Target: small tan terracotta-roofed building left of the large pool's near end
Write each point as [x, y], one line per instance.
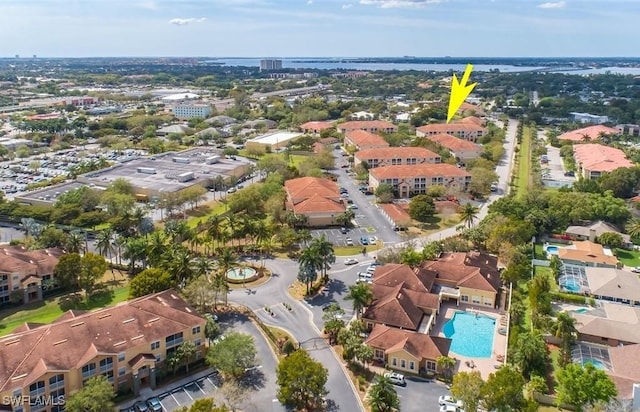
[407, 351]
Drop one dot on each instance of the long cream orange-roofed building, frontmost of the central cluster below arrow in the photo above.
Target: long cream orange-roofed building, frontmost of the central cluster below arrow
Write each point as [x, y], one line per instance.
[415, 179]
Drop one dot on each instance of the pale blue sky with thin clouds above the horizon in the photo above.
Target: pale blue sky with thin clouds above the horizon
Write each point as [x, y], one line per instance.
[319, 28]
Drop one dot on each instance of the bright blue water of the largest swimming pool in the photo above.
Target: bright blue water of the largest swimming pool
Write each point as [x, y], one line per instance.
[471, 335]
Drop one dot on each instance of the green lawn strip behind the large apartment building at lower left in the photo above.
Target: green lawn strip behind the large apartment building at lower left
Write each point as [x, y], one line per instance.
[50, 309]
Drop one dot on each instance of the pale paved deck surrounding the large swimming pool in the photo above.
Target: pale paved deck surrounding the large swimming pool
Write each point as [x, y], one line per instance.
[485, 366]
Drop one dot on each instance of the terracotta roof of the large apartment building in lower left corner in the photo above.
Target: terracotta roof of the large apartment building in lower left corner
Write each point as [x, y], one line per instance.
[65, 344]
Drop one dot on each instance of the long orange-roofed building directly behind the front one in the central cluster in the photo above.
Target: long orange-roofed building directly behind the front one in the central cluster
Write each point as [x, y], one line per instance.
[392, 156]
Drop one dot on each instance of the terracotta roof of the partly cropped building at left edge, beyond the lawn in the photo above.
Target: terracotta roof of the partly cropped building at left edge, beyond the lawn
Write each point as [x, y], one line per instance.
[36, 262]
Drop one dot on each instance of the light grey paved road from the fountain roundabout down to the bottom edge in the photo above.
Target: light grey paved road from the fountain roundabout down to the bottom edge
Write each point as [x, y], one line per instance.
[297, 322]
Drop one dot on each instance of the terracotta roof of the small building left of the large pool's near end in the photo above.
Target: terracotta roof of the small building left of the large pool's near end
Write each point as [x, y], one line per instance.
[419, 345]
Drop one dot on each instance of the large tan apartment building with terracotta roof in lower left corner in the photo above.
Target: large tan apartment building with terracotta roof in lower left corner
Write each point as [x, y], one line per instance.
[127, 343]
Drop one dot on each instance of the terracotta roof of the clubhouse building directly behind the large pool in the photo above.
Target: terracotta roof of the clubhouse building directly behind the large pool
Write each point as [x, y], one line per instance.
[474, 270]
